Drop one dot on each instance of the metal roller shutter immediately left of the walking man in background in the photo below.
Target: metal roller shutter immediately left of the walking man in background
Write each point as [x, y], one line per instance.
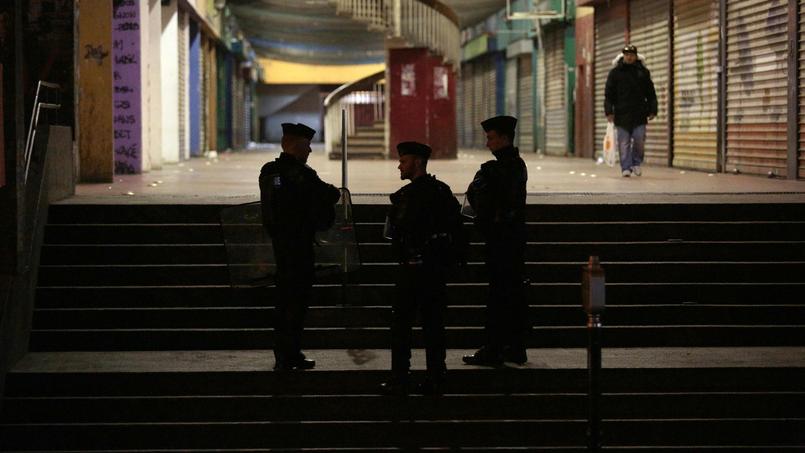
[609, 40]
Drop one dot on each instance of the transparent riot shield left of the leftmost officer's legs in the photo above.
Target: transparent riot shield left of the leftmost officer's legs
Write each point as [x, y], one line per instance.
[249, 254]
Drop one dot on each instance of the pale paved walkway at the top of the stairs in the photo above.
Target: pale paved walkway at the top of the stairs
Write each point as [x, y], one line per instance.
[232, 178]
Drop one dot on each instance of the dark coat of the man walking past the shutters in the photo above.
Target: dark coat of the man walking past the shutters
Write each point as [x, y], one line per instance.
[630, 95]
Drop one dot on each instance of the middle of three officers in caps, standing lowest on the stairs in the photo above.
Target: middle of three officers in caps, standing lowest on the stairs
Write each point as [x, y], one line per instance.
[425, 228]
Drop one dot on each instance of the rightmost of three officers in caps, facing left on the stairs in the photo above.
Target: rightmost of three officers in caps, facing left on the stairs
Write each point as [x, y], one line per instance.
[497, 194]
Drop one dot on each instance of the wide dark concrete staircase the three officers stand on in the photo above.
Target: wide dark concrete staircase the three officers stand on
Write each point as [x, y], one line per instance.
[140, 345]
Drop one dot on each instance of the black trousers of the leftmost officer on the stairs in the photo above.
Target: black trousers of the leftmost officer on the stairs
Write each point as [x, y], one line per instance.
[294, 258]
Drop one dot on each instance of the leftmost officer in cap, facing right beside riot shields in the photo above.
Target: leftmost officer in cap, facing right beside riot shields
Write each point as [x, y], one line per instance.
[295, 204]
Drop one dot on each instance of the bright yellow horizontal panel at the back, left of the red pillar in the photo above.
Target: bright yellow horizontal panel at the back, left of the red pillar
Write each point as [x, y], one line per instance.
[283, 72]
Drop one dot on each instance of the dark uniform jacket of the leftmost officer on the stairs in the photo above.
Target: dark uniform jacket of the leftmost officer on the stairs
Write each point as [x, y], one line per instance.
[294, 201]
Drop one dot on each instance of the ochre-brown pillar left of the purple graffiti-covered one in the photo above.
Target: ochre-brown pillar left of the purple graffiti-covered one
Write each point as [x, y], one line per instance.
[95, 131]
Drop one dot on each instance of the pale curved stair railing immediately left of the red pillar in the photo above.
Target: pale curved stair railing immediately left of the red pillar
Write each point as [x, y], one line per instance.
[338, 100]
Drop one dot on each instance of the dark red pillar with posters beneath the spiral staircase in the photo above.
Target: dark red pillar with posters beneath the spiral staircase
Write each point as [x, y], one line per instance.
[422, 101]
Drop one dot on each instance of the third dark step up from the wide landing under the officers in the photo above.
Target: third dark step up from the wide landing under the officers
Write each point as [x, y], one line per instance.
[379, 294]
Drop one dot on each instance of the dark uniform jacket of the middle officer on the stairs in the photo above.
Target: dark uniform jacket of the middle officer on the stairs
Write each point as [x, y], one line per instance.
[426, 222]
